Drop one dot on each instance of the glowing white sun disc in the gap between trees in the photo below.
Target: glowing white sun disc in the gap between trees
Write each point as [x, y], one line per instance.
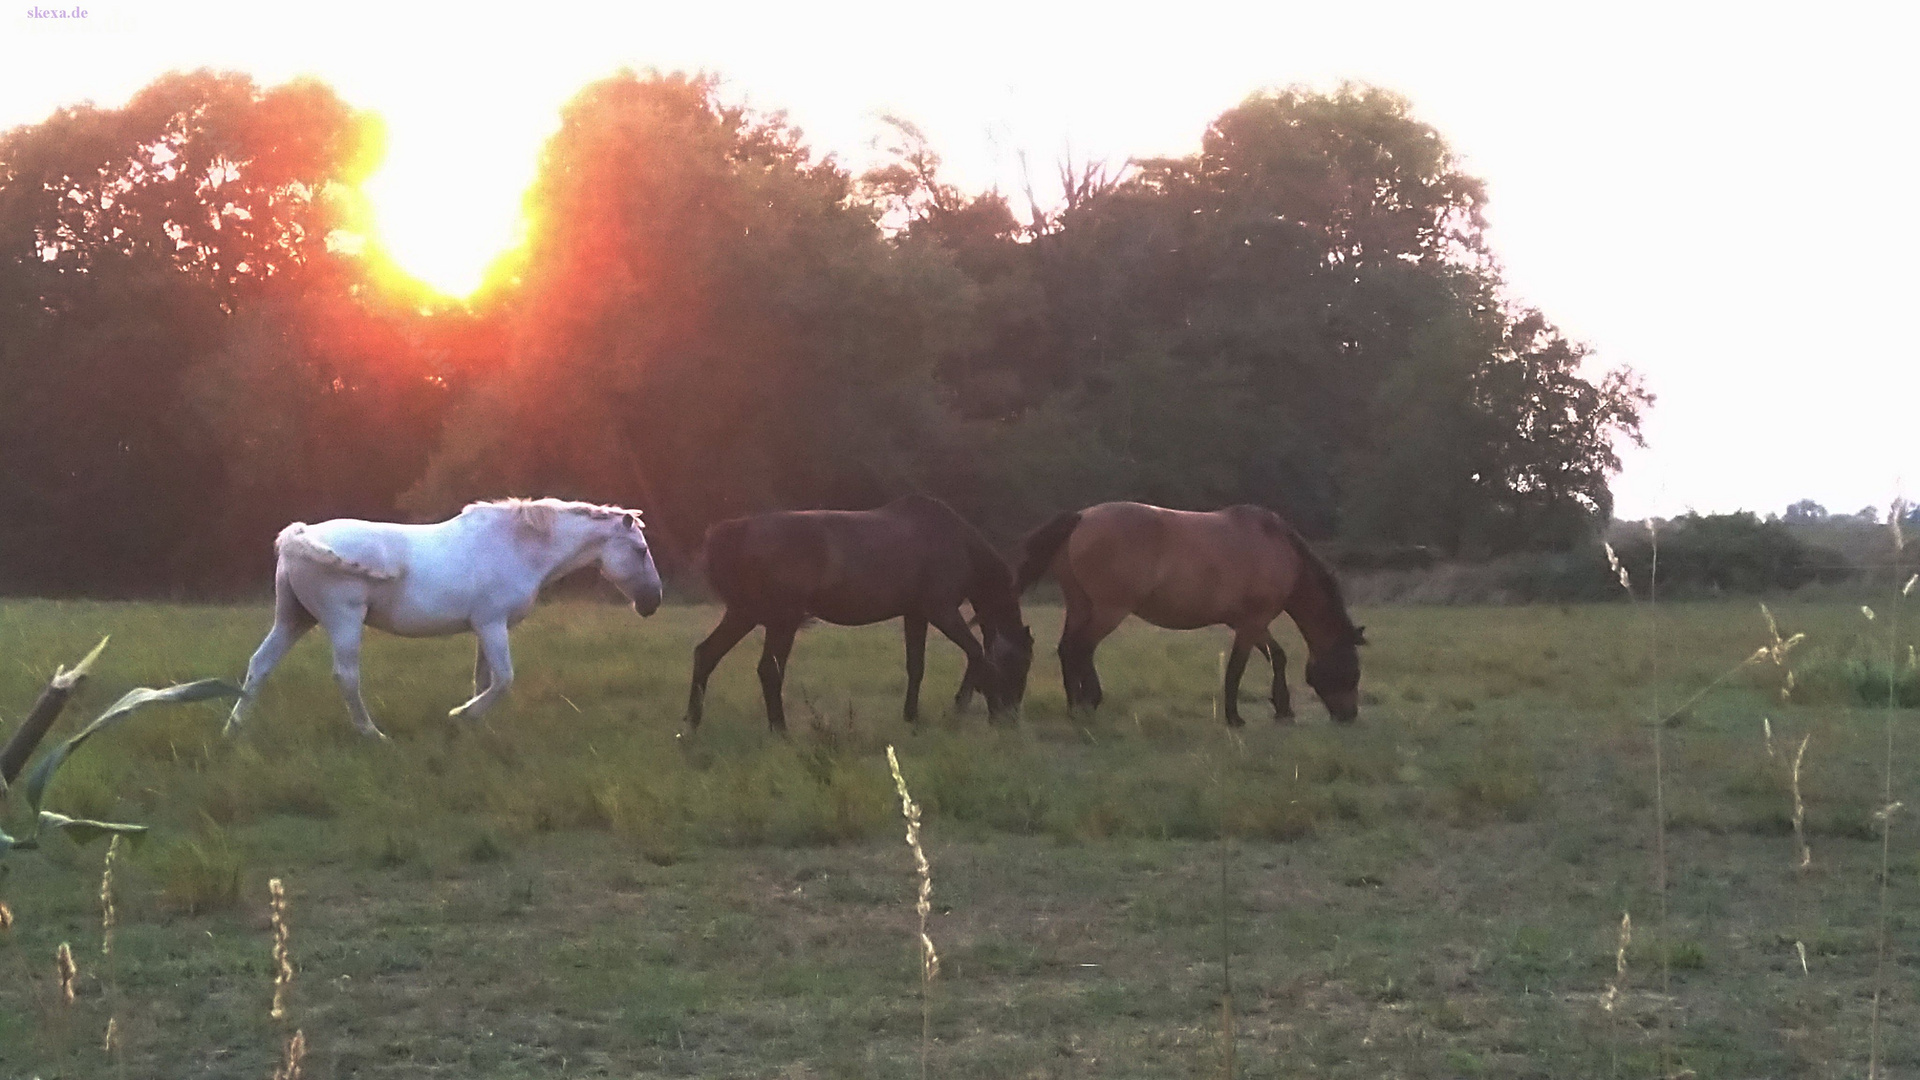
[446, 203]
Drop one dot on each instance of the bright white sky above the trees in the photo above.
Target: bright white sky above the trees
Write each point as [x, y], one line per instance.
[1716, 195]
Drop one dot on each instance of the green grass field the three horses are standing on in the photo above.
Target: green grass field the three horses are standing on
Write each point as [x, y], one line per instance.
[577, 891]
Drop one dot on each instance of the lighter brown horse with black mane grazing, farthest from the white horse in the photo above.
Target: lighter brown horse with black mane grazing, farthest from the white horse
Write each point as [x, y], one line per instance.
[1239, 568]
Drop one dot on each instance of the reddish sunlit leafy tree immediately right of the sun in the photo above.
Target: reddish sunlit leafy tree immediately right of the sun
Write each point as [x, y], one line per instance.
[706, 322]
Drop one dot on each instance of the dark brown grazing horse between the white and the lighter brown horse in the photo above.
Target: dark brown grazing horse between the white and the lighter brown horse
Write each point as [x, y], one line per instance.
[913, 560]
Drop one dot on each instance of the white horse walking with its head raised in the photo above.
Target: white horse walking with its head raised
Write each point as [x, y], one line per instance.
[479, 572]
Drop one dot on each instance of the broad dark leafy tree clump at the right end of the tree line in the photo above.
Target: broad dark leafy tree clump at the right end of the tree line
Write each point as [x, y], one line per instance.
[1305, 316]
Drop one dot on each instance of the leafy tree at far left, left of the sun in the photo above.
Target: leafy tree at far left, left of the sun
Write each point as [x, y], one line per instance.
[128, 241]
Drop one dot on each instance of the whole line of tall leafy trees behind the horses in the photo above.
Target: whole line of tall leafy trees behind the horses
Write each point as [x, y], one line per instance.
[201, 339]
